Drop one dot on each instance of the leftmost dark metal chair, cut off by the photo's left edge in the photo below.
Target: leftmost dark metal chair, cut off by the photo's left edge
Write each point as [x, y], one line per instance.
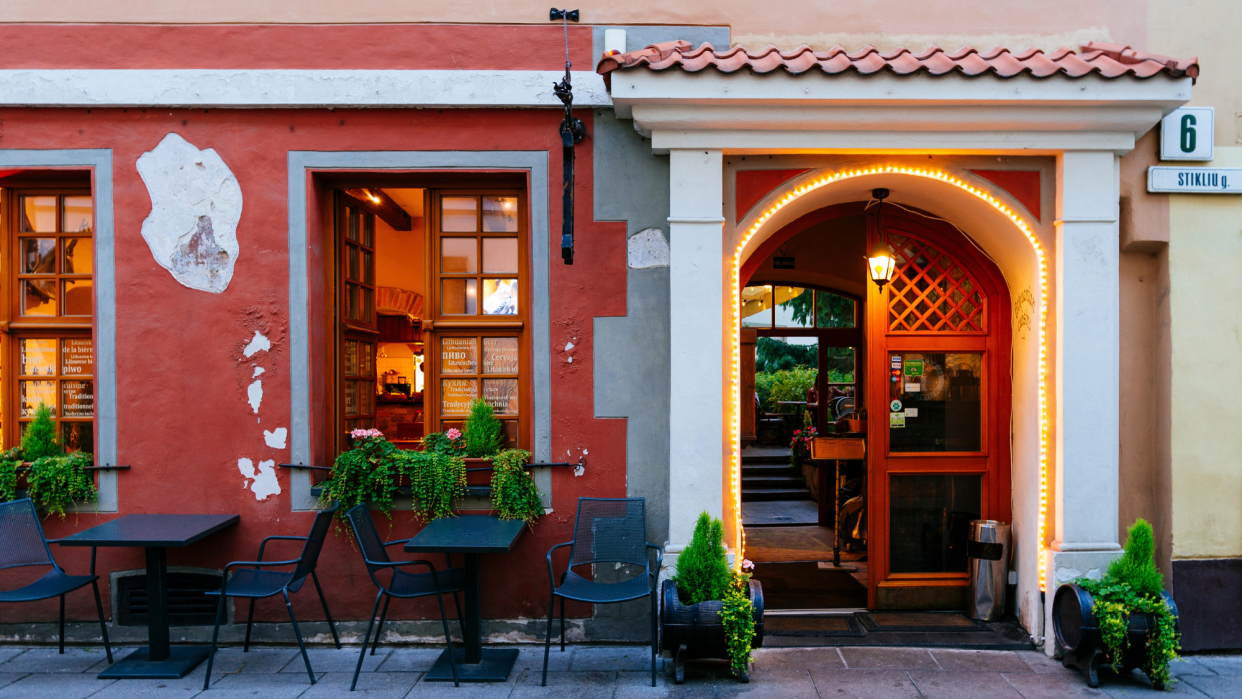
[23, 544]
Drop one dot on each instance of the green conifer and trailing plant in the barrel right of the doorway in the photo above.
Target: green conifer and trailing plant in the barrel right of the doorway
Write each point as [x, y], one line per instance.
[1132, 587]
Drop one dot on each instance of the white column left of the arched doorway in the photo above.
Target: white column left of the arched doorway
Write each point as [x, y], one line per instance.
[697, 297]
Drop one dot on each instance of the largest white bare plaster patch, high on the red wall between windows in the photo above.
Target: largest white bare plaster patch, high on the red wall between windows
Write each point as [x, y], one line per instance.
[196, 207]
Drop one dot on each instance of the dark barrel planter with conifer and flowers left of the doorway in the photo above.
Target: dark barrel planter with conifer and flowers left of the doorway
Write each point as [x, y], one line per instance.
[710, 610]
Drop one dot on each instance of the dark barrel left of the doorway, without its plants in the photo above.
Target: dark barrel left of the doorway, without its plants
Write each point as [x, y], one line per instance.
[695, 631]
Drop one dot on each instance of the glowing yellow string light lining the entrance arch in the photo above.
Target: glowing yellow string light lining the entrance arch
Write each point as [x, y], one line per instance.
[736, 453]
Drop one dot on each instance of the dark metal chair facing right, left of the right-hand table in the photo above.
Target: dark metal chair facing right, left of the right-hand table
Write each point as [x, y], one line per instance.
[403, 585]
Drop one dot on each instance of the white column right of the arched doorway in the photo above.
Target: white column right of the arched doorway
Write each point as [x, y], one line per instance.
[1087, 372]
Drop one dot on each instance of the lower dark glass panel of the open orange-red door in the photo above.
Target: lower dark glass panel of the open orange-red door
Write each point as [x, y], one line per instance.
[930, 522]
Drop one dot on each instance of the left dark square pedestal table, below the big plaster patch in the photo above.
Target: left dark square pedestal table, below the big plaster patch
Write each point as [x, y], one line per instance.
[156, 533]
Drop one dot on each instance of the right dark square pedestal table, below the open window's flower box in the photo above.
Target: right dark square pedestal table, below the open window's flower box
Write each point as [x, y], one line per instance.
[471, 536]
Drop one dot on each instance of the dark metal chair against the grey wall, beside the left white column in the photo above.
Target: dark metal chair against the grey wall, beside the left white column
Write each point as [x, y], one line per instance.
[607, 531]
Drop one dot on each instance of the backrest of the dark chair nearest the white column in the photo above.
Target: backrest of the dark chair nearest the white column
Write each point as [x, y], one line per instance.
[610, 531]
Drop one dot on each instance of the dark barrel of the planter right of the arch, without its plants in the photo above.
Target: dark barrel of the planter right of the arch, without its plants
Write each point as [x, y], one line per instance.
[1077, 633]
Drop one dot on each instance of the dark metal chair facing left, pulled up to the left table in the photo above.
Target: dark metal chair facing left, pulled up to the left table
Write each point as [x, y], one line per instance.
[258, 584]
